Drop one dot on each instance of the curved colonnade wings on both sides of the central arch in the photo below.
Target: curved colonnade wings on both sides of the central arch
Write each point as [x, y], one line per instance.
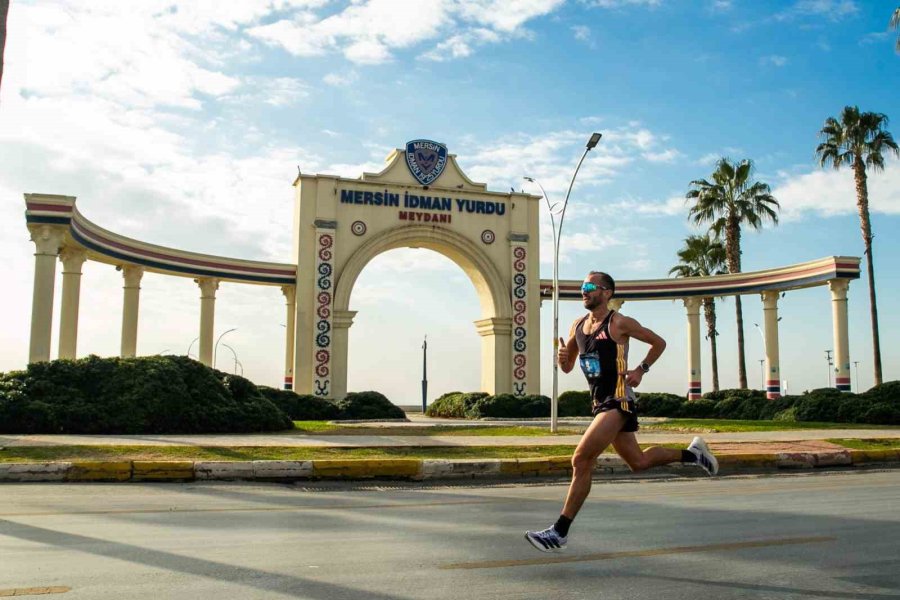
[61, 233]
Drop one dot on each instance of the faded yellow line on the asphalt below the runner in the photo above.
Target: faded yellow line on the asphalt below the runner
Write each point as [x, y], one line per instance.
[498, 564]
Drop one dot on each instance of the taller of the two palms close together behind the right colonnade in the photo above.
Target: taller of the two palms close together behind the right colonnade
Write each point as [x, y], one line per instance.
[727, 203]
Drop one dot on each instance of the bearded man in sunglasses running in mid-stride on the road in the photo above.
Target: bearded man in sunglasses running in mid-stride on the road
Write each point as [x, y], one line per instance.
[599, 342]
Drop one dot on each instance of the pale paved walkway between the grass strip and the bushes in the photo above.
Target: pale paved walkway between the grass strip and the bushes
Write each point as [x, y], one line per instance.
[297, 439]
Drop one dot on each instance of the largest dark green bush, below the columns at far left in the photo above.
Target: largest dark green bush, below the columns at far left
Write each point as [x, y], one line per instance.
[156, 394]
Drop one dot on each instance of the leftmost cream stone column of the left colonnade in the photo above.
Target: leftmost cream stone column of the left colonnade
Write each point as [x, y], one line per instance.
[47, 240]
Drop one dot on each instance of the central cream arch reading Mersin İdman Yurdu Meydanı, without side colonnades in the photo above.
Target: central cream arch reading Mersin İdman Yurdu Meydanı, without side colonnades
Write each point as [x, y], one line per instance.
[422, 199]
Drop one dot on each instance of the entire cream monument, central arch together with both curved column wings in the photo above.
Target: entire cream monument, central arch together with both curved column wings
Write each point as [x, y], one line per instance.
[421, 200]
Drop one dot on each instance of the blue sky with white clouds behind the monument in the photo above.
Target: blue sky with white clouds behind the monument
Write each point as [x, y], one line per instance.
[183, 124]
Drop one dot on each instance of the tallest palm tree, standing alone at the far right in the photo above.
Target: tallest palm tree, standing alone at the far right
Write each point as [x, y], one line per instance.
[858, 141]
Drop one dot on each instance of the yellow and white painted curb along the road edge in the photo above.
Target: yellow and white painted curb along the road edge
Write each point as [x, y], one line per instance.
[400, 468]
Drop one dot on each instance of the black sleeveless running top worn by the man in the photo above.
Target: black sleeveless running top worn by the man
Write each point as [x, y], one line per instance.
[601, 360]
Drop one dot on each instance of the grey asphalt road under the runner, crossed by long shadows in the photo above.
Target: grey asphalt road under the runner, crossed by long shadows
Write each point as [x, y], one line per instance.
[821, 535]
